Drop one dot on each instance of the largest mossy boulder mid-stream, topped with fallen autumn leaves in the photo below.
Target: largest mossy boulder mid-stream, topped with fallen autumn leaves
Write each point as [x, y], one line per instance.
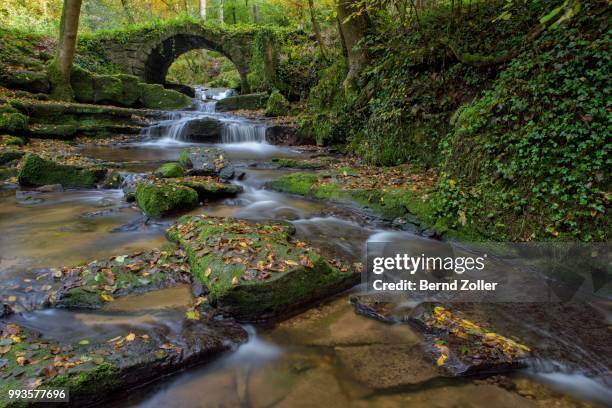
[257, 271]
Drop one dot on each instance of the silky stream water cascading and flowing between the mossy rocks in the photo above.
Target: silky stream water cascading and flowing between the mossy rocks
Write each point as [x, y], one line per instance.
[296, 363]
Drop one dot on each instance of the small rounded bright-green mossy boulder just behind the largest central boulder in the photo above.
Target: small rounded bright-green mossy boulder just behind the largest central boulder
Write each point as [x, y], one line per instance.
[158, 198]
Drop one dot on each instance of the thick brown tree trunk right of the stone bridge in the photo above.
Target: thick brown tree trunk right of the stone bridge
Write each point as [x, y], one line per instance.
[353, 29]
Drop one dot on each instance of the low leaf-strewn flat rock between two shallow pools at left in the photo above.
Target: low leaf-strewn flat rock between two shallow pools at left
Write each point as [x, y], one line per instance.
[92, 285]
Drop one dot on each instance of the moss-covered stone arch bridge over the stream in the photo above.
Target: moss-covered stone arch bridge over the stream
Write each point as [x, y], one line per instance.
[148, 52]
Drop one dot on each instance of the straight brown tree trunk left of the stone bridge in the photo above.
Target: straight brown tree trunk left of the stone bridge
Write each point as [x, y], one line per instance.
[59, 71]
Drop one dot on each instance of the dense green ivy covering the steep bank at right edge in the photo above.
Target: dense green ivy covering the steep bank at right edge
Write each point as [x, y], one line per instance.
[530, 158]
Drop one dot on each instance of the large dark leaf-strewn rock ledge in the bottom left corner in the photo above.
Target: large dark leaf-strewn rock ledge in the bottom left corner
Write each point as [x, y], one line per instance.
[99, 371]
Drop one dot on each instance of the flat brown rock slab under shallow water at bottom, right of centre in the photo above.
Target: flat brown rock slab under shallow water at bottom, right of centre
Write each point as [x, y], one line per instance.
[385, 366]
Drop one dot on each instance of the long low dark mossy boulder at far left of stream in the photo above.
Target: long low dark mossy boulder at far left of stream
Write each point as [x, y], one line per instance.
[36, 171]
